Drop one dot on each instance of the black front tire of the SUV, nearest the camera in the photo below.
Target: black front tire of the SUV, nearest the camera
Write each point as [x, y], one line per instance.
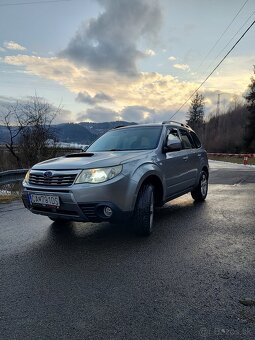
[144, 211]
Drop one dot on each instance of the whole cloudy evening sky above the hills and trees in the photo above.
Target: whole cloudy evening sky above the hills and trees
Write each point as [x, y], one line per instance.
[134, 60]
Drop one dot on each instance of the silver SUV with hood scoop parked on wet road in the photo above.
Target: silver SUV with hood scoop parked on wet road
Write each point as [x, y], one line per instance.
[122, 176]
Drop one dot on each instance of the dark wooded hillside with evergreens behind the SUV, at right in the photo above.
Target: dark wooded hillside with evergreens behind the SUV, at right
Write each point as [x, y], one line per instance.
[230, 132]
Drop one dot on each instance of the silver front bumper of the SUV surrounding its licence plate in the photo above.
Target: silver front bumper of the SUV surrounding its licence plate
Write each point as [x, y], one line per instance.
[84, 202]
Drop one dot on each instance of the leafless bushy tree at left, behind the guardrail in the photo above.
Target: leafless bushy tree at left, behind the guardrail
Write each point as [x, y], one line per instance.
[29, 126]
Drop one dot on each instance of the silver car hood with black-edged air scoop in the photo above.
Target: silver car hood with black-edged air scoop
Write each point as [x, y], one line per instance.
[87, 160]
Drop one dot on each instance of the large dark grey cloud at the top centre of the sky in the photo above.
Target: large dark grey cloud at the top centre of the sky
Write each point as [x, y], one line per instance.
[110, 41]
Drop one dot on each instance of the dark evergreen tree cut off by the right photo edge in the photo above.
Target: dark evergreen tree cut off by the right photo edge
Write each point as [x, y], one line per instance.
[249, 139]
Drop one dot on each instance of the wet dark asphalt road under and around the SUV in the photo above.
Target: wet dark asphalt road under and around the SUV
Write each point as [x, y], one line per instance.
[99, 281]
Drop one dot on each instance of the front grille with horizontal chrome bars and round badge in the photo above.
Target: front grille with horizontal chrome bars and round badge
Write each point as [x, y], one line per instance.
[56, 180]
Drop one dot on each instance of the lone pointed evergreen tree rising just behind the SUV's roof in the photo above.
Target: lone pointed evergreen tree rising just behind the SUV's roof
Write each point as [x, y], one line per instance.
[196, 112]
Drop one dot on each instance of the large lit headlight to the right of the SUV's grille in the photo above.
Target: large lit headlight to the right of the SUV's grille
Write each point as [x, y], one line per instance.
[98, 175]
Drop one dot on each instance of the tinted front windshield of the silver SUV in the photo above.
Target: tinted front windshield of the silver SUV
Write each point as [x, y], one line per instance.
[143, 138]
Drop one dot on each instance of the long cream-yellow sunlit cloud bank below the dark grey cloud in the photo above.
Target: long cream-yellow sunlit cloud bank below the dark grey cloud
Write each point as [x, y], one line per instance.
[151, 90]
